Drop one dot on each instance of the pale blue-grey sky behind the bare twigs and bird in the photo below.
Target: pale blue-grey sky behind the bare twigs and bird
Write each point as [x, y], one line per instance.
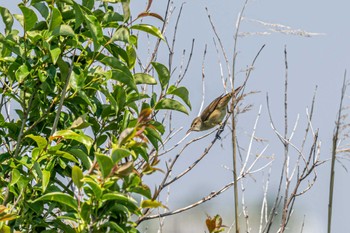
[319, 60]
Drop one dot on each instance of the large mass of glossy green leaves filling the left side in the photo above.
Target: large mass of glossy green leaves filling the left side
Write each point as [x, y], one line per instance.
[77, 128]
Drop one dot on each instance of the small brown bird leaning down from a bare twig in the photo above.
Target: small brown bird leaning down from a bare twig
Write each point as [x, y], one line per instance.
[213, 114]
